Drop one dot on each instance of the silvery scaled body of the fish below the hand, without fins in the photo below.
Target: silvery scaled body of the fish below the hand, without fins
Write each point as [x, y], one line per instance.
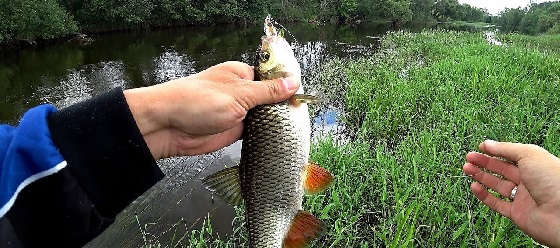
[275, 150]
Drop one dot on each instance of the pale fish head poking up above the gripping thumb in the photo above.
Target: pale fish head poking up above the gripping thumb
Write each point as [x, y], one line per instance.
[275, 56]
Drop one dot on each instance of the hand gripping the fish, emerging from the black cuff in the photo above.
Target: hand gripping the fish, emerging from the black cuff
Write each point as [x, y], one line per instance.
[203, 112]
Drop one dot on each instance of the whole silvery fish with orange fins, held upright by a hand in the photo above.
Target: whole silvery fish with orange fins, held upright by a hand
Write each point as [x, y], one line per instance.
[275, 172]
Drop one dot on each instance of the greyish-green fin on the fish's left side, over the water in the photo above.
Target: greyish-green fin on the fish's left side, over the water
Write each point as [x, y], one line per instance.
[226, 184]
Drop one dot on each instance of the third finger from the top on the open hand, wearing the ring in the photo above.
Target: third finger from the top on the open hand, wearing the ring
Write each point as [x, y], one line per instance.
[503, 187]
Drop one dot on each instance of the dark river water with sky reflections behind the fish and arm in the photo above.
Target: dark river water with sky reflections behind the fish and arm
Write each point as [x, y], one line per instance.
[67, 73]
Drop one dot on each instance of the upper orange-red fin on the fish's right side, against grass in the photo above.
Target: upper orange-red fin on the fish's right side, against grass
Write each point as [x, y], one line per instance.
[315, 178]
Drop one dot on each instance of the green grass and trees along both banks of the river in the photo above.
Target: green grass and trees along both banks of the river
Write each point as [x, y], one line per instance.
[418, 105]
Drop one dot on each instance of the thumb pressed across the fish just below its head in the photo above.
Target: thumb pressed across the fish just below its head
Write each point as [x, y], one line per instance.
[270, 91]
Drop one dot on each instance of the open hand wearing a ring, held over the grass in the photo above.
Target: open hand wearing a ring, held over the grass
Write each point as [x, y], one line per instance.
[536, 206]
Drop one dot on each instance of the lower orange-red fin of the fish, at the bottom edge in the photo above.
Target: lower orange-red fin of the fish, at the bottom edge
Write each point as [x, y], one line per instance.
[305, 227]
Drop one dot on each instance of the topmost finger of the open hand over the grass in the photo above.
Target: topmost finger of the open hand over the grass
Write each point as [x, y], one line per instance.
[510, 151]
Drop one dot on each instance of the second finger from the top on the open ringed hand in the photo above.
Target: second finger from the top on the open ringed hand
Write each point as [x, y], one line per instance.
[498, 166]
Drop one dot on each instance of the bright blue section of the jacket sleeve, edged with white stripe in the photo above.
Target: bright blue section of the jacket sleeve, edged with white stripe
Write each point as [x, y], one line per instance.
[27, 153]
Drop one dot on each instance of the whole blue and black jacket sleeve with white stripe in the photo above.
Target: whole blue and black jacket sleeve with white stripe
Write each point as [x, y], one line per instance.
[104, 165]
